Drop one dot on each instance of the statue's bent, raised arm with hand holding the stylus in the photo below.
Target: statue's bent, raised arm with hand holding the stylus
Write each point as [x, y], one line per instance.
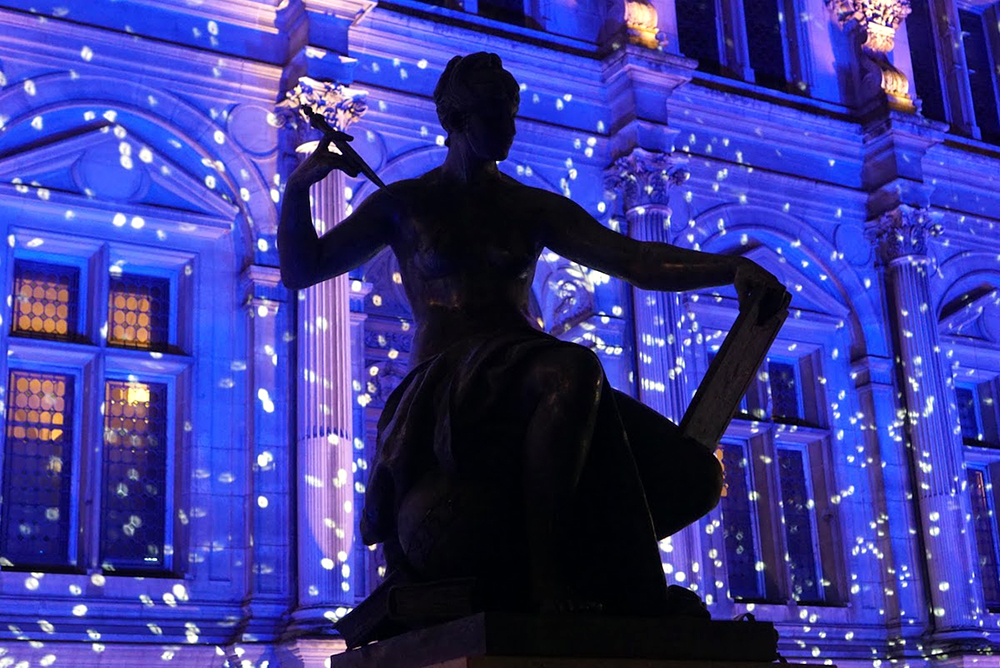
[307, 259]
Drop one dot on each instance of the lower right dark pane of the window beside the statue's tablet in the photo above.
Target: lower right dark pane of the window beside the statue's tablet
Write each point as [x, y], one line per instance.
[797, 510]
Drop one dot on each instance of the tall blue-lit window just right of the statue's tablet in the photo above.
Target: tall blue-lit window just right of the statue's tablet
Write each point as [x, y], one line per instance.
[773, 457]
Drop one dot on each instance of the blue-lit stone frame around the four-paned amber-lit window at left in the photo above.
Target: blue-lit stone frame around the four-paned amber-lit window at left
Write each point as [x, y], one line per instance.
[93, 361]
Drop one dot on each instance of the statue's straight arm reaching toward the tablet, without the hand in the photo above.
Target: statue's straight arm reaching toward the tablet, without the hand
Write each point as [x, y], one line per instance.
[576, 235]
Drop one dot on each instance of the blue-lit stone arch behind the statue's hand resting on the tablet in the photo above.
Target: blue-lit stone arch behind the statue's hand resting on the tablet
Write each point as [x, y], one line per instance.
[747, 226]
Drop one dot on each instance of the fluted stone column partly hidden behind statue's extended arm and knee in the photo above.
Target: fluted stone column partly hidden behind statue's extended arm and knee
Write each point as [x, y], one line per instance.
[643, 180]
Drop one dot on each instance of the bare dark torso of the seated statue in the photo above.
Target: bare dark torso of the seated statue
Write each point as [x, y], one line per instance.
[467, 256]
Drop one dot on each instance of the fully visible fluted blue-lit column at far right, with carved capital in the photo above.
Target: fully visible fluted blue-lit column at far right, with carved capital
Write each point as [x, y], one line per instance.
[935, 450]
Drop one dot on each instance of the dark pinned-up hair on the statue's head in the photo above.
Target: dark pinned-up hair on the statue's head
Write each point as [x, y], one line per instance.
[456, 90]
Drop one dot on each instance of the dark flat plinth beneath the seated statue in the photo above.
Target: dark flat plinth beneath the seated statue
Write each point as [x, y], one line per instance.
[507, 640]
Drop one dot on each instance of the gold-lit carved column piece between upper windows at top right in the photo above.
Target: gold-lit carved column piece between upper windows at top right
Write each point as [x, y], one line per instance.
[874, 23]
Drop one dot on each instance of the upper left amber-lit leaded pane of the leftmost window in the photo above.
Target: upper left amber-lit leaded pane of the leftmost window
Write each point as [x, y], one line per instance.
[45, 299]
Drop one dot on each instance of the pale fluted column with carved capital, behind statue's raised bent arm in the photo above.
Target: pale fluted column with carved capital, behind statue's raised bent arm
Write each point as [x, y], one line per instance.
[325, 435]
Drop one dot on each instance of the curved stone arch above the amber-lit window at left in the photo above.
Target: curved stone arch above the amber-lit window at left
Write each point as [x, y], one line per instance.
[62, 92]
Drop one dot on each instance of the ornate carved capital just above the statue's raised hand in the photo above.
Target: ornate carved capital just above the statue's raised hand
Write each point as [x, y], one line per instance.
[339, 105]
